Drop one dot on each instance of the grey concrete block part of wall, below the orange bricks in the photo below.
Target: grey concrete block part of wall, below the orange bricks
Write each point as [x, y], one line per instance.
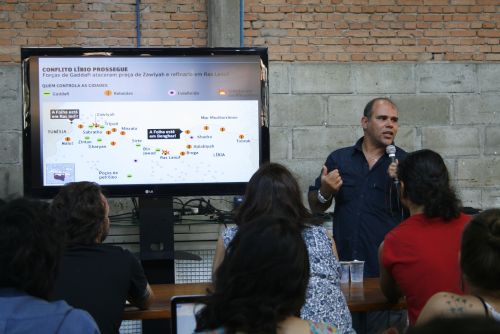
[453, 108]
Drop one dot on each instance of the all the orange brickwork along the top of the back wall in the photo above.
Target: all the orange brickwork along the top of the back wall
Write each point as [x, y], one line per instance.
[294, 30]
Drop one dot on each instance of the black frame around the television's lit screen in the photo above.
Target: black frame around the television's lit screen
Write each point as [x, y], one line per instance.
[32, 174]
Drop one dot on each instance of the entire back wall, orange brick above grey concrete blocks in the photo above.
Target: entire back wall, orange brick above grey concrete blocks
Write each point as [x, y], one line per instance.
[327, 61]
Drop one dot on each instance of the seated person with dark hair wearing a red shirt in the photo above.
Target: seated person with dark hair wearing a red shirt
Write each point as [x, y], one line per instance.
[421, 256]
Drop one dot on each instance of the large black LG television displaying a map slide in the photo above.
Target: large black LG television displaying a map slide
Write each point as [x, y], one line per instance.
[144, 122]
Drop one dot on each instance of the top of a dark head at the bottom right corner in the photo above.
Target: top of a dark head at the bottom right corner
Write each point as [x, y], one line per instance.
[458, 325]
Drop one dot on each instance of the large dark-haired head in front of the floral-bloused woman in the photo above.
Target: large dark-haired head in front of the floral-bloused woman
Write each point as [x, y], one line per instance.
[261, 281]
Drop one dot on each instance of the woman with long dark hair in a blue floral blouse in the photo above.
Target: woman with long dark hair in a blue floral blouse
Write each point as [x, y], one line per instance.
[273, 190]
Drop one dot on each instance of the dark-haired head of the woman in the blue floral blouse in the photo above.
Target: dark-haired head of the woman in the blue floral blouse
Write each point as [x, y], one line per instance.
[272, 190]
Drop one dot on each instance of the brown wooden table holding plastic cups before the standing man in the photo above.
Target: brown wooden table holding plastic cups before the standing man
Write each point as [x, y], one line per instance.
[361, 297]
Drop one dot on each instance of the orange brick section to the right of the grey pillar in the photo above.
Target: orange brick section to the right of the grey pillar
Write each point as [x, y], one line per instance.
[375, 30]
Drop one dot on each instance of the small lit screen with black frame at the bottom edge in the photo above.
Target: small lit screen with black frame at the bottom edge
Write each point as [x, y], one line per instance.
[183, 310]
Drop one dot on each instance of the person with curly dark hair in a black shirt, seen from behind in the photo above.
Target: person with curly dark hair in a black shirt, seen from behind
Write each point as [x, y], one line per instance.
[90, 268]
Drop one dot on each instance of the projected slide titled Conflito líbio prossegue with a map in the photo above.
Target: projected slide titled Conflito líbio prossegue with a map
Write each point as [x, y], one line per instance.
[149, 120]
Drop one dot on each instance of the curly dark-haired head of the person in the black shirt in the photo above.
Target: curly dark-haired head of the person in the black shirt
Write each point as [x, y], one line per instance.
[82, 211]
